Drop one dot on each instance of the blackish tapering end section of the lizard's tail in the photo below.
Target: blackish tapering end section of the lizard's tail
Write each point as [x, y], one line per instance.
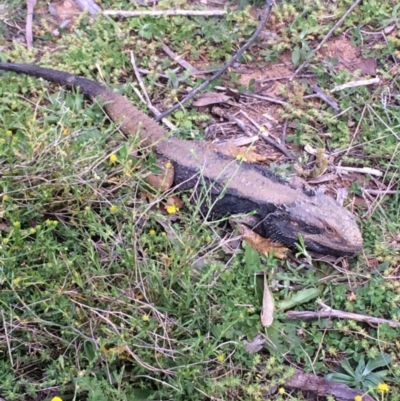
[87, 86]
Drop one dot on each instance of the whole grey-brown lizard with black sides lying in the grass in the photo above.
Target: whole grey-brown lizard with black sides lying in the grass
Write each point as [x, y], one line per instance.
[281, 212]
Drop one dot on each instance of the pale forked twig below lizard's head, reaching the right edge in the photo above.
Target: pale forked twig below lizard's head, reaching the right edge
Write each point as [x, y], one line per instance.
[328, 312]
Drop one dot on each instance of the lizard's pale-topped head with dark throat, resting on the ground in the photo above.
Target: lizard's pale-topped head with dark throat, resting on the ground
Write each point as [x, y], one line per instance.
[326, 227]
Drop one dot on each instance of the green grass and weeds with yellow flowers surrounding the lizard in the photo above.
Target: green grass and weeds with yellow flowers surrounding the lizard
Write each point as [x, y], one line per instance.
[106, 296]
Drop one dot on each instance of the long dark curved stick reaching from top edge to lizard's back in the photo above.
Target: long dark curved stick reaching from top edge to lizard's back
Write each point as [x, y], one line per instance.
[225, 67]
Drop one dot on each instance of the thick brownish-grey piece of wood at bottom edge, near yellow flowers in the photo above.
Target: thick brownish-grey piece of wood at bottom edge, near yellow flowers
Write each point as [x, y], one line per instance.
[323, 387]
